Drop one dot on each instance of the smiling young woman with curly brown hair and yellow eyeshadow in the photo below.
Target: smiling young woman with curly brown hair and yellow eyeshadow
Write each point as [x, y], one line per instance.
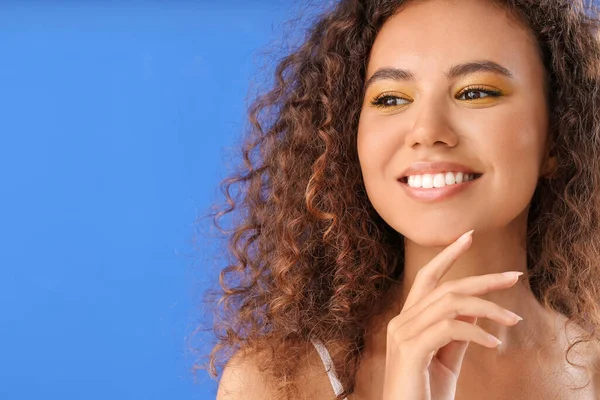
[412, 159]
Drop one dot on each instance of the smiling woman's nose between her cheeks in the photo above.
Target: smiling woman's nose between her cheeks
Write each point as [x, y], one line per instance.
[431, 126]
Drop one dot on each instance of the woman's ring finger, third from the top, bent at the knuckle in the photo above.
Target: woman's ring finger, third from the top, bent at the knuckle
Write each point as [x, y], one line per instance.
[451, 306]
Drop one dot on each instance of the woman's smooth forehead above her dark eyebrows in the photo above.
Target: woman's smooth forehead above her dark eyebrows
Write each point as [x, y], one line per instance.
[429, 36]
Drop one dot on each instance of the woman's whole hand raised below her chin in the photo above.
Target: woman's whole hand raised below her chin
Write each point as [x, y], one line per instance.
[427, 341]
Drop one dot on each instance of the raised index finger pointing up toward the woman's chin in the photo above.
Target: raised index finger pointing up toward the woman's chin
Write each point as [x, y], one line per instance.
[428, 277]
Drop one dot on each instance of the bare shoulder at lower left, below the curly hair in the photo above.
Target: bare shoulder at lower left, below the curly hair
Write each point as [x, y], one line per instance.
[243, 378]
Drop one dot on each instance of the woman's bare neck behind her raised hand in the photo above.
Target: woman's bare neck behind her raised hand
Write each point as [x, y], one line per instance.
[490, 252]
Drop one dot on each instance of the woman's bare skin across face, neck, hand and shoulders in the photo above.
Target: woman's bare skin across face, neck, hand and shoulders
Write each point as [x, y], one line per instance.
[452, 292]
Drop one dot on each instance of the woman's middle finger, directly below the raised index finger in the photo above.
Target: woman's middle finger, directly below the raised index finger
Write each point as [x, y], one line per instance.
[472, 286]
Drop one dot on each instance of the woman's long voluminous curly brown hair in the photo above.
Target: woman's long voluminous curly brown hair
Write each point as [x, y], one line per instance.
[314, 260]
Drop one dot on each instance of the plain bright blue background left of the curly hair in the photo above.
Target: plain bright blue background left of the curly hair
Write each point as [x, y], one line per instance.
[118, 121]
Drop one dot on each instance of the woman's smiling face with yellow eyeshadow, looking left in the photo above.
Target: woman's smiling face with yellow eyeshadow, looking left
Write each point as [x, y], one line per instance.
[470, 92]
